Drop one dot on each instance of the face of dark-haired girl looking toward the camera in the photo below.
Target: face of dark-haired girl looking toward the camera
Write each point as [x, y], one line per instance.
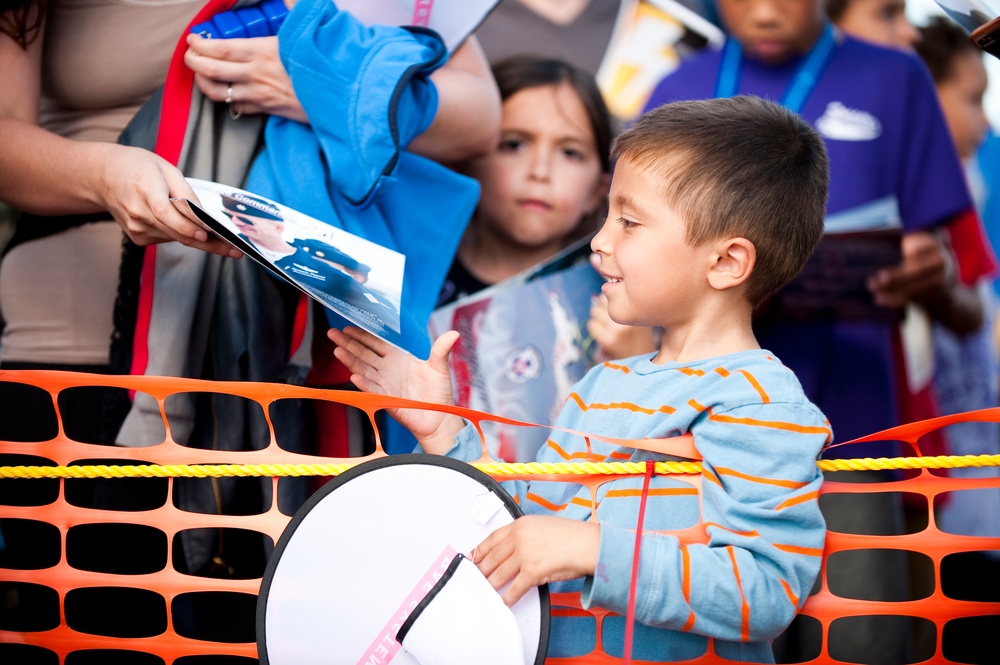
[545, 174]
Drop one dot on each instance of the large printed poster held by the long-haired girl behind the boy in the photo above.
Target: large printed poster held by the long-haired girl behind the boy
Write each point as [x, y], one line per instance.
[524, 344]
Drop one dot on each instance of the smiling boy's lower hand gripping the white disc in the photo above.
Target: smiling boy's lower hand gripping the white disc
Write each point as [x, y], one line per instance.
[537, 549]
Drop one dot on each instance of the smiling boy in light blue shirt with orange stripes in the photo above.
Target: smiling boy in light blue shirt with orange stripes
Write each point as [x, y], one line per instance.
[713, 206]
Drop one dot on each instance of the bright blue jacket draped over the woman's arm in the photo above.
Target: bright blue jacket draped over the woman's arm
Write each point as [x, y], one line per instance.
[367, 94]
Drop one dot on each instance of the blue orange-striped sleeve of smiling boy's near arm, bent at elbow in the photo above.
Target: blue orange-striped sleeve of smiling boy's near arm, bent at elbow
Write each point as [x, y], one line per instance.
[760, 509]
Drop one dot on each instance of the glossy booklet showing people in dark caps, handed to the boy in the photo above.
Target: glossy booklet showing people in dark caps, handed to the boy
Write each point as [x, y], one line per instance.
[356, 278]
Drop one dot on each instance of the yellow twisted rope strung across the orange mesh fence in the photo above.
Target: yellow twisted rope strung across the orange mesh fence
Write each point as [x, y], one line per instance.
[492, 469]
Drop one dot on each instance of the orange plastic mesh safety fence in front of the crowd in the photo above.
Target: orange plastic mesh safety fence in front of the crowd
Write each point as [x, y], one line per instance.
[104, 584]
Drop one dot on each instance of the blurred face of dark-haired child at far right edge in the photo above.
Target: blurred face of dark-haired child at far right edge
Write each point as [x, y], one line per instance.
[961, 97]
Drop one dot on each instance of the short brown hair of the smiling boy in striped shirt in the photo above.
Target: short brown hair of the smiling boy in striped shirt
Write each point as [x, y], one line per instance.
[739, 166]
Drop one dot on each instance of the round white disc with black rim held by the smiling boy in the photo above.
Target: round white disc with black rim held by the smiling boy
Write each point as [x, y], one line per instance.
[349, 563]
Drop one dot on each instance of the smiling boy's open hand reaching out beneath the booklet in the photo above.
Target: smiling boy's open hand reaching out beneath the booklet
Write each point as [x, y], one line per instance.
[378, 367]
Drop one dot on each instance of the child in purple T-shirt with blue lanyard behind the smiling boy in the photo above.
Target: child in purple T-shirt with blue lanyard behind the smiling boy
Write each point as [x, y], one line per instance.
[892, 161]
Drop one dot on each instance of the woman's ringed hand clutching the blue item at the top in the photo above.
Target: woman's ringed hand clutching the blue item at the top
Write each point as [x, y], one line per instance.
[247, 73]
